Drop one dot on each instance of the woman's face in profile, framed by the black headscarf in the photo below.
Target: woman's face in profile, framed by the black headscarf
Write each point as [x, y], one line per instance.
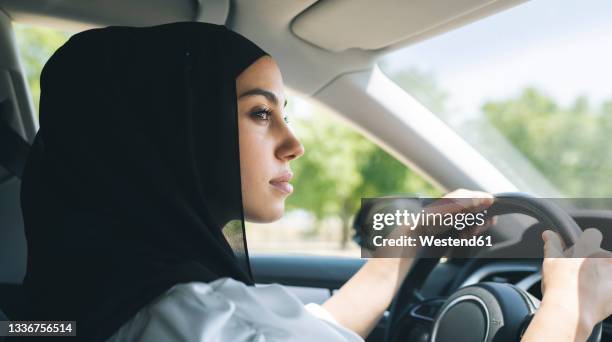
[267, 144]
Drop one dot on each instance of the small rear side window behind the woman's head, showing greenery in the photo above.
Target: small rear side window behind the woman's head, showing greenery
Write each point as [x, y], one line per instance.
[36, 44]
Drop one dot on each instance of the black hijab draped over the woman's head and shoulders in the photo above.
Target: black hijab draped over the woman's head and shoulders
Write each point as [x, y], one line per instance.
[134, 172]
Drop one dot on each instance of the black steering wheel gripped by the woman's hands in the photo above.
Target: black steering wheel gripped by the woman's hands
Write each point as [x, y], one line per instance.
[486, 311]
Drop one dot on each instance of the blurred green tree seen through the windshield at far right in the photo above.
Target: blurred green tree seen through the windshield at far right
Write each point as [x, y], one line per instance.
[567, 144]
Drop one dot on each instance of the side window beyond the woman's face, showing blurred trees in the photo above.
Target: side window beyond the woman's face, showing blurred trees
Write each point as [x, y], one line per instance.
[340, 167]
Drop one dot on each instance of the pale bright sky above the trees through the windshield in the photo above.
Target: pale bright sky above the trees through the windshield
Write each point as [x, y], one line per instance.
[562, 47]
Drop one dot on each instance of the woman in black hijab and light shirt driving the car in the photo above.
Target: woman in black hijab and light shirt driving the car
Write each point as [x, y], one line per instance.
[154, 145]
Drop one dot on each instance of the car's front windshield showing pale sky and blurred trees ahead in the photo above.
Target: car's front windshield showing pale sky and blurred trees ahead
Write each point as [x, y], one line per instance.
[530, 88]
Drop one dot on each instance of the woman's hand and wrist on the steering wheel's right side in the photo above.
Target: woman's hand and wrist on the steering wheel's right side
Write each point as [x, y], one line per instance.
[577, 288]
